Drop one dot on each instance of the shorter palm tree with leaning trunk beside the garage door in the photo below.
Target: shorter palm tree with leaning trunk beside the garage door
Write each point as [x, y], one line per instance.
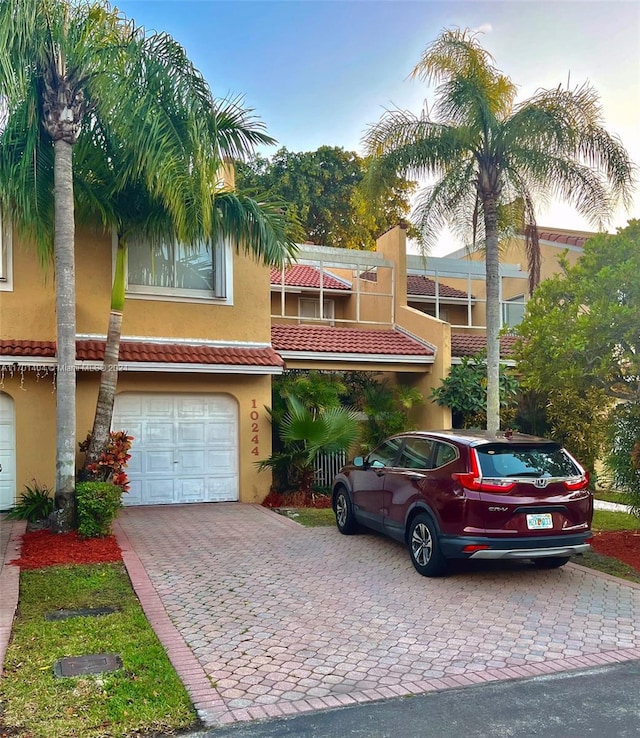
[257, 227]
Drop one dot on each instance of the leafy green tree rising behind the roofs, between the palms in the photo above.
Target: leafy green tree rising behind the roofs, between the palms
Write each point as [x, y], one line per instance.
[324, 190]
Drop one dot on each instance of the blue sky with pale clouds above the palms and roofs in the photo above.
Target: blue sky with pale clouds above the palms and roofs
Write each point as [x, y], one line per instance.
[319, 72]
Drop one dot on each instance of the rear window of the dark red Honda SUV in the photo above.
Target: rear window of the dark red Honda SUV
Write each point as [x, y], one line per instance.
[498, 461]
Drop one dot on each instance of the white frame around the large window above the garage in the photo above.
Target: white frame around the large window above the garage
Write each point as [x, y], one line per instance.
[222, 256]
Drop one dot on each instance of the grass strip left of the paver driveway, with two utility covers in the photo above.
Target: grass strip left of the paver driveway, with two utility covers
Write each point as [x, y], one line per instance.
[144, 696]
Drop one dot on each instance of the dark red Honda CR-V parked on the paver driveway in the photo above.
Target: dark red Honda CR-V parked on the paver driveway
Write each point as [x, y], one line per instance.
[469, 495]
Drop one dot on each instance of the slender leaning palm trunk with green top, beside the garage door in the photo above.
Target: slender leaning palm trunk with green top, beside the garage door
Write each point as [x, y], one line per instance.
[109, 376]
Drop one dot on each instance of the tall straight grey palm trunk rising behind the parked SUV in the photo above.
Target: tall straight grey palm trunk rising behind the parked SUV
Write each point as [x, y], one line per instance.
[492, 259]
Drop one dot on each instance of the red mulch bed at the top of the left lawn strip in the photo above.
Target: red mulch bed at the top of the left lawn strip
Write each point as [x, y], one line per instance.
[42, 548]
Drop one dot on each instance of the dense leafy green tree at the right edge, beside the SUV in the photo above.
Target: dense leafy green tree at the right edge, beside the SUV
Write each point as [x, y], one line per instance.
[580, 345]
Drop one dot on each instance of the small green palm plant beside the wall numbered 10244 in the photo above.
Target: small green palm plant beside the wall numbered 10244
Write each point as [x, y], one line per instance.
[305, 433]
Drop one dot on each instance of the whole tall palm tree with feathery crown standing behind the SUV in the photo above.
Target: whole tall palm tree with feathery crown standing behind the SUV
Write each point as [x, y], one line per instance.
[492, 158]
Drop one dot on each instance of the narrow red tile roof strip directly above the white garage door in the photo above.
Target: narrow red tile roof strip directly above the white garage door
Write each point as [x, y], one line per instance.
[148, 352]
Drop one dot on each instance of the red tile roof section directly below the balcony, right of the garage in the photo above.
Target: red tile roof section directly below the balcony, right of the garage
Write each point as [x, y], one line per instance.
[325, 339]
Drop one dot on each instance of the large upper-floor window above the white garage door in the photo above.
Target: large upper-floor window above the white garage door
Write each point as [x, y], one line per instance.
[176, 270]
